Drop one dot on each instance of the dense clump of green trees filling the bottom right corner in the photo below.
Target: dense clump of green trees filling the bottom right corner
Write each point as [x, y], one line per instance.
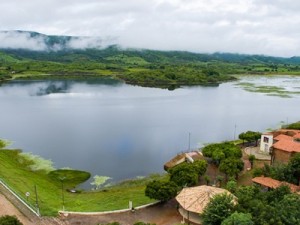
[275, 207]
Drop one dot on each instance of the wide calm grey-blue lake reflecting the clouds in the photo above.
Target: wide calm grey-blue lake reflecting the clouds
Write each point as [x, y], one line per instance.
[113, 129]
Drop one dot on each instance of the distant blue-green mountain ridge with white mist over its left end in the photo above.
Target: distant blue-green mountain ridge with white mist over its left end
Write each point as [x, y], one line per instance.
[37, 46]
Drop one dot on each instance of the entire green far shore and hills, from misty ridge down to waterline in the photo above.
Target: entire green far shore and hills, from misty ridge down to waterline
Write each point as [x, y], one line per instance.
[30, 55]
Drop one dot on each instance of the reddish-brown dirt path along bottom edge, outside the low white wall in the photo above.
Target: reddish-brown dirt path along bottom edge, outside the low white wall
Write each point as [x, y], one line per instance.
[161, 214]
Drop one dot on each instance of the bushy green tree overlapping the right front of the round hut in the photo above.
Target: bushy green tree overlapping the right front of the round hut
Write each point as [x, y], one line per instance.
[218, 209]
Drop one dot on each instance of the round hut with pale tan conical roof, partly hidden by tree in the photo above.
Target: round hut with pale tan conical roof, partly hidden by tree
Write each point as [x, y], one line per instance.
[193, 200]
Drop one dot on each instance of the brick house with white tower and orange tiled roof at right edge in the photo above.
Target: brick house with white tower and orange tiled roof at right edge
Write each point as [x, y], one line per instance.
[282, 145]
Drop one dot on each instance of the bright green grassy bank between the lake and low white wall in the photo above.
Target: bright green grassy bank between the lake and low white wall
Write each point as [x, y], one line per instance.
[15, 171]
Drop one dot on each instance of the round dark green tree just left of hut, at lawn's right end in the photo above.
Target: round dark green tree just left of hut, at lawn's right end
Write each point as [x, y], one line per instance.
[161, 190]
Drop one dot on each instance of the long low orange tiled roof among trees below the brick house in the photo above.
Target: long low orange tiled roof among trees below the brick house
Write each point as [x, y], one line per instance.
[270, 183]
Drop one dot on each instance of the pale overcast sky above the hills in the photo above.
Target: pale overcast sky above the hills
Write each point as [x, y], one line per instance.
[270, 27]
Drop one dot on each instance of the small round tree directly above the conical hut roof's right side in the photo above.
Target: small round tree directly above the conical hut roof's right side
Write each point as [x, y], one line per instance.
[231, 166]
